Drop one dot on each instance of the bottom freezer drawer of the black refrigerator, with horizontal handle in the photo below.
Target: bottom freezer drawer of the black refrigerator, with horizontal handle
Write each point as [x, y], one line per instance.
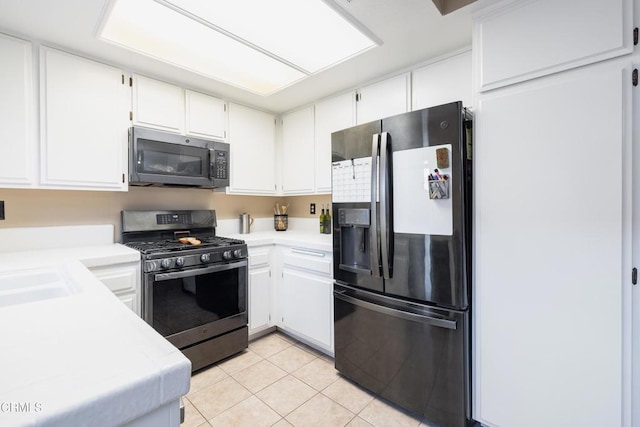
[411, 355]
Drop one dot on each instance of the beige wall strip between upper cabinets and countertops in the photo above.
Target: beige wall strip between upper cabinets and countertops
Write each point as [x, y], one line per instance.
[38, 208]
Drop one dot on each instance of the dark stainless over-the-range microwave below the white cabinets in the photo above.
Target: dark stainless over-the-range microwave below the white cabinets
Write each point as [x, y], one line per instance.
[159, 158]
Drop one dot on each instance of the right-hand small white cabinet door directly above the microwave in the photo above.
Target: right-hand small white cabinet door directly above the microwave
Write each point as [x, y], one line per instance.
[206, 116]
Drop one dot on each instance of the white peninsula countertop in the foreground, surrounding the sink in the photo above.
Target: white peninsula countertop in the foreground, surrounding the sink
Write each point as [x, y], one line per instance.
[84, 359]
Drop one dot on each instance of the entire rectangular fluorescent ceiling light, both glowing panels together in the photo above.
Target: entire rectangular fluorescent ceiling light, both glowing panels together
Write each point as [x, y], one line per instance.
[261, 46]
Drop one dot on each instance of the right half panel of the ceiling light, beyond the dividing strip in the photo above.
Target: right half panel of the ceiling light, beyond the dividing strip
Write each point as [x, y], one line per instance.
[307, 33]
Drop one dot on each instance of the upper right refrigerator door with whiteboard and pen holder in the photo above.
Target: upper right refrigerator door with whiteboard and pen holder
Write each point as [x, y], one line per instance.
[431, 226]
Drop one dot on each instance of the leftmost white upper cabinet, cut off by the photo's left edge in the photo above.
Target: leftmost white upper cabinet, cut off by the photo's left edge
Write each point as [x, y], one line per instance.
[17, 108]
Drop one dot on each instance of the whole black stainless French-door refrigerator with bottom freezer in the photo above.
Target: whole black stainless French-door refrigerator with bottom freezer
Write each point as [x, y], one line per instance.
[401, 193]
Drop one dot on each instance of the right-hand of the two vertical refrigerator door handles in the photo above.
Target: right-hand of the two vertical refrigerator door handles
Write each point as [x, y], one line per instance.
[385, 200]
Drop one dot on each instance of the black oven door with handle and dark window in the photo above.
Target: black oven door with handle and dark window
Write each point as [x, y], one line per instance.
[190, 306]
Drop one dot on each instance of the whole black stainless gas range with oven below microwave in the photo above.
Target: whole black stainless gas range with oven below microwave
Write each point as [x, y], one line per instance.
[194, 283]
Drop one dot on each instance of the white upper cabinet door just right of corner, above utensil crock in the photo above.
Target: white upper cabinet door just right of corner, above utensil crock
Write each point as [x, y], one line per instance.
[298, 149]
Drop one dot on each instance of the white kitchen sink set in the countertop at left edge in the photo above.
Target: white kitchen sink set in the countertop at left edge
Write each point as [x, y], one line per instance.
[27, 286]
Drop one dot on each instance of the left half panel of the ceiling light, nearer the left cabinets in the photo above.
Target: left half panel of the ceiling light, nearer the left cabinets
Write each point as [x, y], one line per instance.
[150, 28]
